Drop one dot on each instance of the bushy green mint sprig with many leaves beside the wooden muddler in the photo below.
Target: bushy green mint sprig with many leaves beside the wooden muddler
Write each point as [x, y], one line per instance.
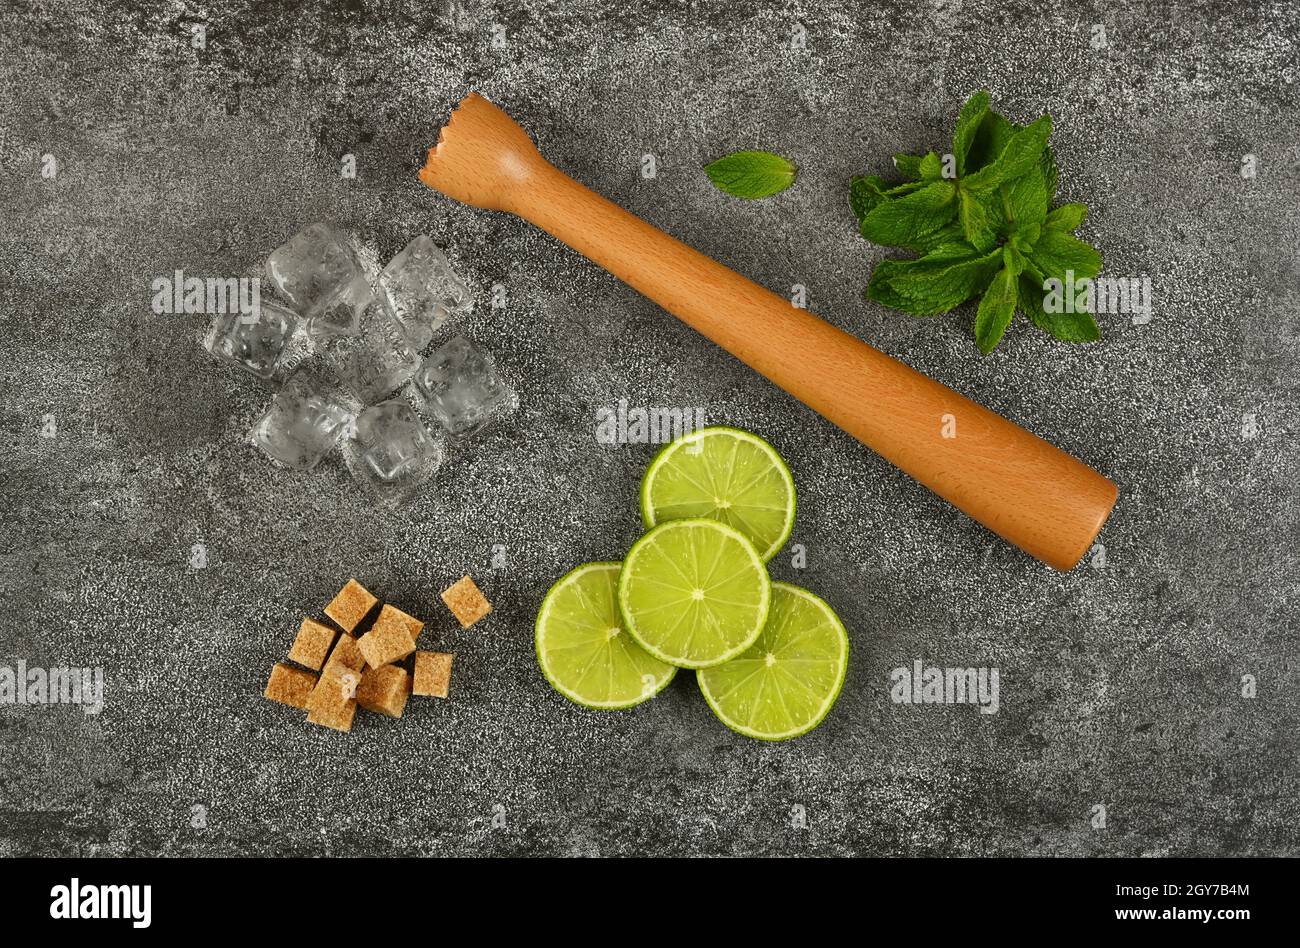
[990, 232]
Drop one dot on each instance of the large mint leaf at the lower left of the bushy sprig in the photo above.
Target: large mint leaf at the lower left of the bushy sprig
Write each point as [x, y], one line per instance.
[938, 282]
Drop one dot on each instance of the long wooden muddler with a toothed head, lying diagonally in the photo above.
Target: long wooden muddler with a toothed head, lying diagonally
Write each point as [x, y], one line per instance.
[1019, 486]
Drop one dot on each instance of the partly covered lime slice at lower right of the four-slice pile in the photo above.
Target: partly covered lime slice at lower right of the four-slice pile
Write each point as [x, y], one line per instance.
[790, 678]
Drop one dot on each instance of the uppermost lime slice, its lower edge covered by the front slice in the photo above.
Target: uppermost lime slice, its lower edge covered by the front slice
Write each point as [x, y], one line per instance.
[727, 475]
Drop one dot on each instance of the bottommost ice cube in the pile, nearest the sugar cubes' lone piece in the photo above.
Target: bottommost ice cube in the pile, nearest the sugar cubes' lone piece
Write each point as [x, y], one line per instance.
[392, 452]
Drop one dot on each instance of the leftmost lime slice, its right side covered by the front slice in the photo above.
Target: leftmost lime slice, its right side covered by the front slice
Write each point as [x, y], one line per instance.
[584, 650]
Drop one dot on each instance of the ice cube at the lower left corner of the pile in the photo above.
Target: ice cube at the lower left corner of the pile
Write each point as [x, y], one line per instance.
[304, 422]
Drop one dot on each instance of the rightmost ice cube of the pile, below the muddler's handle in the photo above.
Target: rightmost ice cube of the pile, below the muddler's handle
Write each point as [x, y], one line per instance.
[461, 388]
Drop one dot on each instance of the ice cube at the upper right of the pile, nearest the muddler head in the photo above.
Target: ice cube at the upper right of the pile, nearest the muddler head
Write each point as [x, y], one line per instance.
[423, 291]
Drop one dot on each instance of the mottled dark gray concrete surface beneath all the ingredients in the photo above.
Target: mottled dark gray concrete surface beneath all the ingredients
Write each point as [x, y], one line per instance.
[1121, 682]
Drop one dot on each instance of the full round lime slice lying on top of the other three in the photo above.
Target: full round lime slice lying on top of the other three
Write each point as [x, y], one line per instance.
[695, 592]
